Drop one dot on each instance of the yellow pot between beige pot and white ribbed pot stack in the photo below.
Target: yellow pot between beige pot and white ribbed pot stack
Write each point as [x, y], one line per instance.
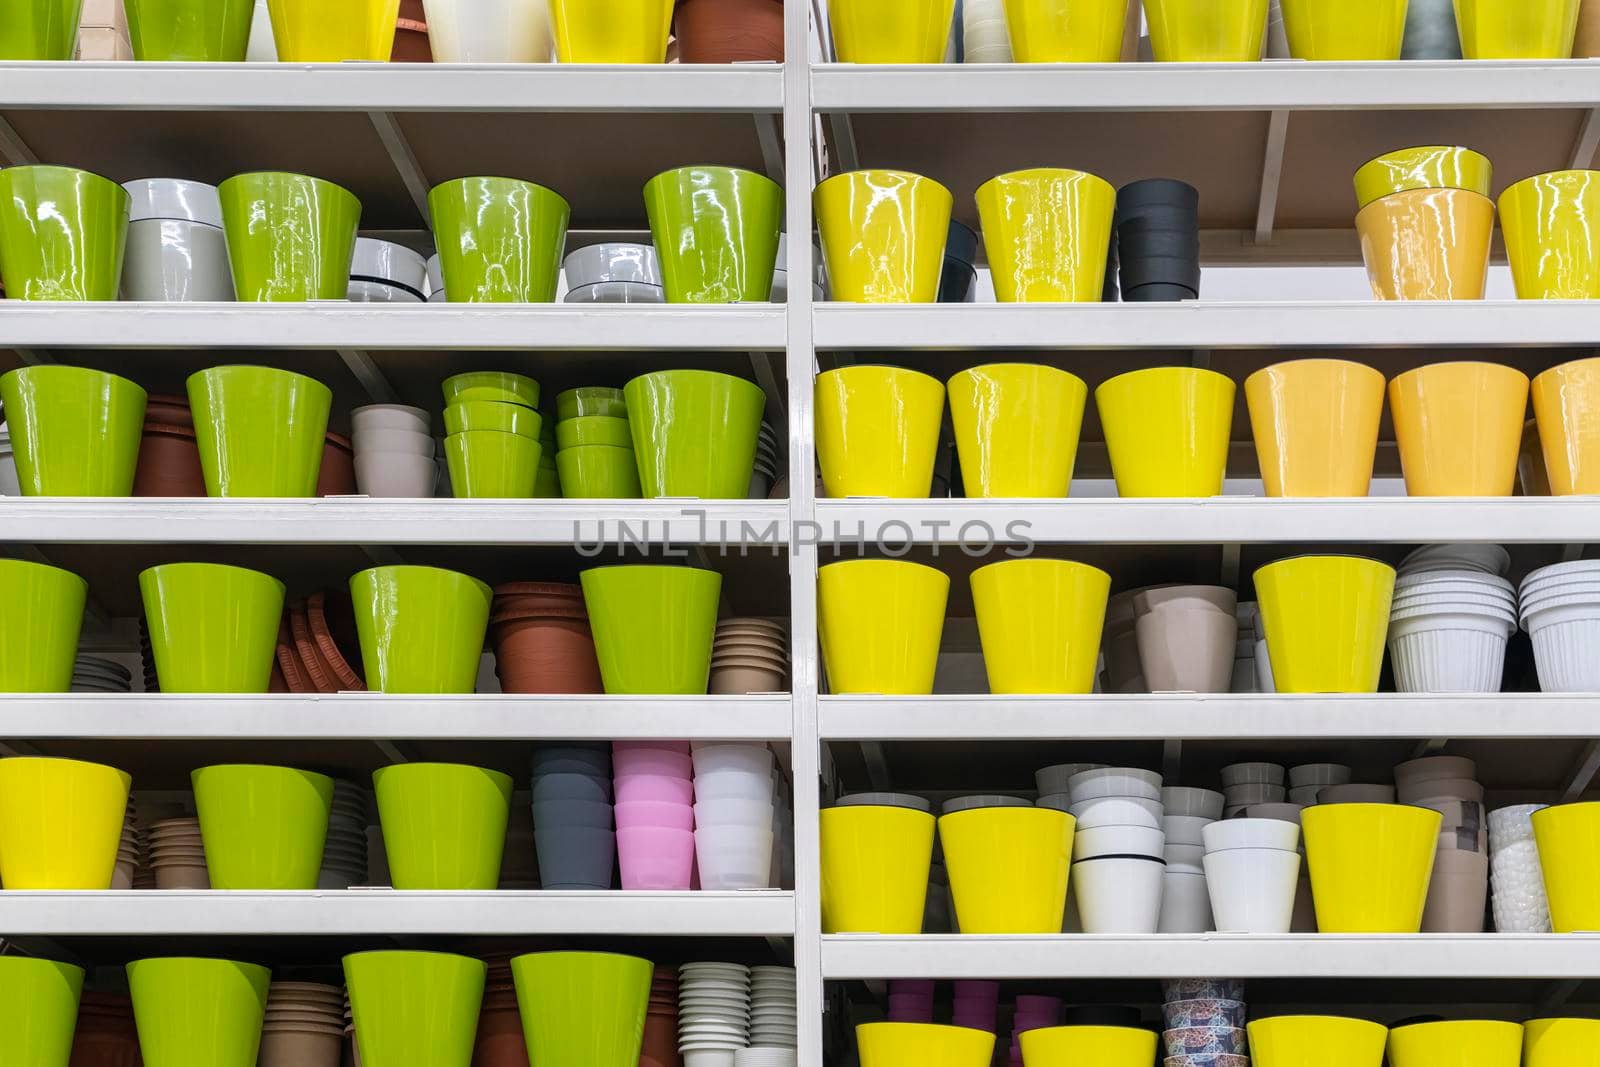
[1326, 618]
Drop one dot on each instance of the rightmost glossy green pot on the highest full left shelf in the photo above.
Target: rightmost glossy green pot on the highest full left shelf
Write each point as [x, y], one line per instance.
[716, 231]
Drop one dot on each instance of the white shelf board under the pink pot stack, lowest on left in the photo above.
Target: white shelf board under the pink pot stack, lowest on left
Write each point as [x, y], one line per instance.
[359, 913]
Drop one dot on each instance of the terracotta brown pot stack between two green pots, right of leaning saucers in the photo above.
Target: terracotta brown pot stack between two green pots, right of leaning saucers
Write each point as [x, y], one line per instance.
[542, 639]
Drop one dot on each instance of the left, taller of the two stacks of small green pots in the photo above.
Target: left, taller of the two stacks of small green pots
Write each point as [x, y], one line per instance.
[492, 436]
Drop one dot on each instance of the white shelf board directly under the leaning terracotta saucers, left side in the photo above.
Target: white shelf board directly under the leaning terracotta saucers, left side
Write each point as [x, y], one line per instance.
[362, 716]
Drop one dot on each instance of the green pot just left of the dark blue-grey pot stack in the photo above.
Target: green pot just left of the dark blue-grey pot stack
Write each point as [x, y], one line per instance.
[444, 825]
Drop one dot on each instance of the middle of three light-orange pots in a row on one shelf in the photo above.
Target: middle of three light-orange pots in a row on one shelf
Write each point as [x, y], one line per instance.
[1460, 428]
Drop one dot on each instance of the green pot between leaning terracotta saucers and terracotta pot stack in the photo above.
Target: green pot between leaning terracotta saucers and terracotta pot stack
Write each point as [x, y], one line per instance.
[422, 628]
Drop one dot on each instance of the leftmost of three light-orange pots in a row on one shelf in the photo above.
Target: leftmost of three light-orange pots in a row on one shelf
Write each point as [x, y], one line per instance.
[1316, 426]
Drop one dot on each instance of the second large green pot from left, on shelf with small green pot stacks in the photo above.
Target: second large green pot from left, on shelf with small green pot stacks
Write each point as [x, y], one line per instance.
[262, 431]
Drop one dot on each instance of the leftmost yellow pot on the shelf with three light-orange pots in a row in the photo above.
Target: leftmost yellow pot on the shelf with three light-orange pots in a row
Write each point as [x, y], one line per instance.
[878, 431]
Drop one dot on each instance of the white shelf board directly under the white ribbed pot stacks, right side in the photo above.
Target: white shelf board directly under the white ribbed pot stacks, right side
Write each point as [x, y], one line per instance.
[1209, 717]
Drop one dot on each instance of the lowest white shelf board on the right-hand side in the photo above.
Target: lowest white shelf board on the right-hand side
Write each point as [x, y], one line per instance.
[1204, 956]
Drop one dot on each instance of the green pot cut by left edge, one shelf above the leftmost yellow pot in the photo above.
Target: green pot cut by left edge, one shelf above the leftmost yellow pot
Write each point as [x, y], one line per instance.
[41, 615]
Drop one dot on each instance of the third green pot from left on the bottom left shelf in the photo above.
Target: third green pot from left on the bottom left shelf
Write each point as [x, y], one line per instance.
[415, 1009]
